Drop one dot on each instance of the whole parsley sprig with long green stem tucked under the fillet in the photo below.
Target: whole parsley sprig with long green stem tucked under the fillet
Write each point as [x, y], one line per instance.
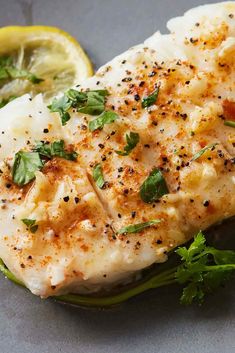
[203, 269]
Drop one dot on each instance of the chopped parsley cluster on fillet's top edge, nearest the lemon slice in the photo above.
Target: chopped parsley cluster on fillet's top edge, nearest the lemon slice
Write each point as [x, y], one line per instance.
[89, 102]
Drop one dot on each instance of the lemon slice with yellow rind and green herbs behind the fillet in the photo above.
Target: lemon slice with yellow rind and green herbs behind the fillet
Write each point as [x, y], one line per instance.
[39, 59]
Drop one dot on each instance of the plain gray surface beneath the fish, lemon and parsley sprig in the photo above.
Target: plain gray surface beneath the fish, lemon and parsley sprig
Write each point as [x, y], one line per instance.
[152, 323]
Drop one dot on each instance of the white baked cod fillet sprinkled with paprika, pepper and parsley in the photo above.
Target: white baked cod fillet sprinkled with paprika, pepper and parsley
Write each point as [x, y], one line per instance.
[157, 165]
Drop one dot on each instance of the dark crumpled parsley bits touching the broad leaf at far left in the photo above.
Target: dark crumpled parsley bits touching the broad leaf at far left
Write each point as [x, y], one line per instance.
[53, 149]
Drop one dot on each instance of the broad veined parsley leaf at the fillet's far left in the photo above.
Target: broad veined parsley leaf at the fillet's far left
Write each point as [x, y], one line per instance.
[24, 167]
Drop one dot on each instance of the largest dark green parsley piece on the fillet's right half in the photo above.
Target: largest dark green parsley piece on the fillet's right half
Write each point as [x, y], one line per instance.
[154, 187]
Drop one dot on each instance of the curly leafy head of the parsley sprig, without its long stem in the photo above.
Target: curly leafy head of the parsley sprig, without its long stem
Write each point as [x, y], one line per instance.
[204, 269]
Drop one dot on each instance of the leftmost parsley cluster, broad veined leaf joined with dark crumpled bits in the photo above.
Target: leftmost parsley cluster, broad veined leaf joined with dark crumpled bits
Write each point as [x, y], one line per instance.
[27, 163]
